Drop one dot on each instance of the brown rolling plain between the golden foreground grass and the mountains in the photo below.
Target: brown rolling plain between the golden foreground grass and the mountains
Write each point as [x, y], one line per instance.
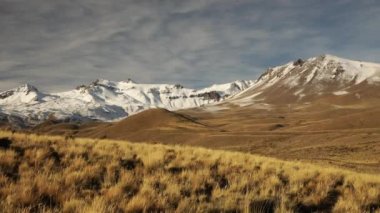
[347, 137]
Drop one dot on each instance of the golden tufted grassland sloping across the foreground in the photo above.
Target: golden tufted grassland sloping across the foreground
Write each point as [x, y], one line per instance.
[57, 174]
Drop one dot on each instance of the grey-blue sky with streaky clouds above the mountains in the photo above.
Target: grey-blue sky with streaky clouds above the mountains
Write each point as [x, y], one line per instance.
[57, 45]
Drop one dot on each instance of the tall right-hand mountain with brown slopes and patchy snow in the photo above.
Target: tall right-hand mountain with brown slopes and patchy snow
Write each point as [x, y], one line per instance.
[313, 78]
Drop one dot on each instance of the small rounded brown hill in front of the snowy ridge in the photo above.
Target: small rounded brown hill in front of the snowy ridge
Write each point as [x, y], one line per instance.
[149, 125]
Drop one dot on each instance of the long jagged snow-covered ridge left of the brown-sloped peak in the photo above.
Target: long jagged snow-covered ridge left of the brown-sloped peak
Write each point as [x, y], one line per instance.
[107, 100]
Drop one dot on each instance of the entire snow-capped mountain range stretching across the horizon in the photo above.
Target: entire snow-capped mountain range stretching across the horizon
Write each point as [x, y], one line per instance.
[324, 78]
